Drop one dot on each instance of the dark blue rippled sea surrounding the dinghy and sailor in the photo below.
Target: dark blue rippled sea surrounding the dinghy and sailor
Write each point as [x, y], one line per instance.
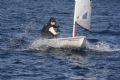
[20, 25]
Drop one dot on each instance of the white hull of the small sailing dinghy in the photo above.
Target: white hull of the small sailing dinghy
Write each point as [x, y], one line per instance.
[77, 42]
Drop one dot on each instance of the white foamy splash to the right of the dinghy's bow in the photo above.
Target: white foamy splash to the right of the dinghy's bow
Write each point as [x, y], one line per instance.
[102, 46]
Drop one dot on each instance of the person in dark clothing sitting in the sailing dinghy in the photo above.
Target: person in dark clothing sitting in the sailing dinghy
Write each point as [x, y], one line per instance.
[50, 30]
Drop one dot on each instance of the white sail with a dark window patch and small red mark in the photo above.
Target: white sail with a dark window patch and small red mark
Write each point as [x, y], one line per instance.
[82, 15]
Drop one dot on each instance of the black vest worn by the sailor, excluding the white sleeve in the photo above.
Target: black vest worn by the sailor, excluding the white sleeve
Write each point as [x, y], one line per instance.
[45, 33]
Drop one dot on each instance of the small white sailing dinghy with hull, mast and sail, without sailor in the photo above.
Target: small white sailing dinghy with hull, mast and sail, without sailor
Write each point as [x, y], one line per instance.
[82, 16]
